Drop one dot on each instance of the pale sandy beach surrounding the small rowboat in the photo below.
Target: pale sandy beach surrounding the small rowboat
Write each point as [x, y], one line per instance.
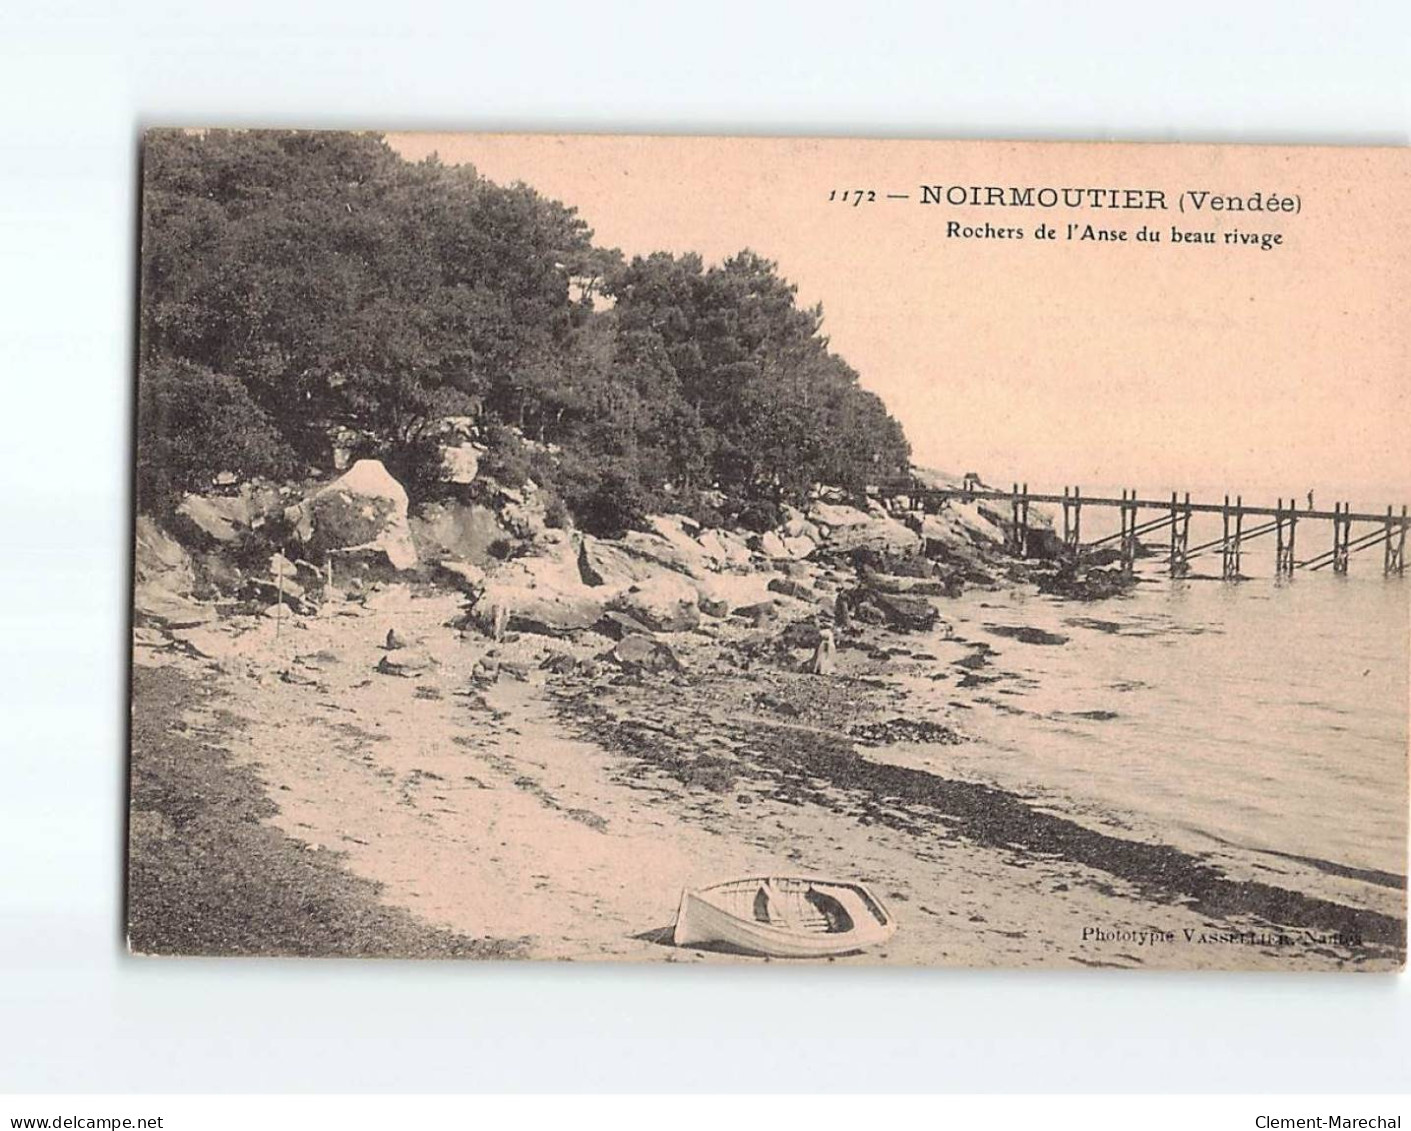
[557, 810]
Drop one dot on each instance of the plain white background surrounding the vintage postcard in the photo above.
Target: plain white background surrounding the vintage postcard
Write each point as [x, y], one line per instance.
[80, 78]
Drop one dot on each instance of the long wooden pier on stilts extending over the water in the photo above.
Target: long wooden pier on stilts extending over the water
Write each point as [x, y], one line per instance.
[1242, 524]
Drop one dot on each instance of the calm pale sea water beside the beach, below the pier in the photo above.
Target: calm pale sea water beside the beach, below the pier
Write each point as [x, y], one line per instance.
[1252, 723]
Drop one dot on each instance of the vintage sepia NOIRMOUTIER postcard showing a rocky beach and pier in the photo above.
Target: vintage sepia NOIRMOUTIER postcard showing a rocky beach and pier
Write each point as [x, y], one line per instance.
[737, 549]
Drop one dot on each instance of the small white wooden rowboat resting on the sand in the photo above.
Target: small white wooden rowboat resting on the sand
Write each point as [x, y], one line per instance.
[784, 917]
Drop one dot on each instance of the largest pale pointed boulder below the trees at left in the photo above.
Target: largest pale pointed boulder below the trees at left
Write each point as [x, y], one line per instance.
[363, 511]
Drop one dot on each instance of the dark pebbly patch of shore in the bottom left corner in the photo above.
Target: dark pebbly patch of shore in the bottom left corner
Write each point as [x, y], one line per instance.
[210, 874]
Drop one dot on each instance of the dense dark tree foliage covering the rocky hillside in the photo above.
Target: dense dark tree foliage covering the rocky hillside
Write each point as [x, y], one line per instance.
[304, 283]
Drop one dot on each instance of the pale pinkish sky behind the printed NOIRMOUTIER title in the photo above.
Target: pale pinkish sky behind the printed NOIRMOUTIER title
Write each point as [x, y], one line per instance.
[1169, 367]
